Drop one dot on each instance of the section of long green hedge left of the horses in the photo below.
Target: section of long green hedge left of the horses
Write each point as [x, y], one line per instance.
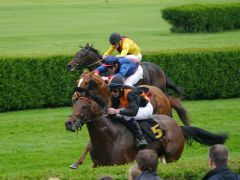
[35, 82]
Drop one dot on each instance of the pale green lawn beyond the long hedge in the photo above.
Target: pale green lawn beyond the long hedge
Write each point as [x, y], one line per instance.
[51, 27]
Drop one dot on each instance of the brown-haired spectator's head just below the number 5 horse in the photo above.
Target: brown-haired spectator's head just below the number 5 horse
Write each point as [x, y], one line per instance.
[147, 161]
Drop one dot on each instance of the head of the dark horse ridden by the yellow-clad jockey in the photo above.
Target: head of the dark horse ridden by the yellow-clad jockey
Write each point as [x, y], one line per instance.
[87, 57]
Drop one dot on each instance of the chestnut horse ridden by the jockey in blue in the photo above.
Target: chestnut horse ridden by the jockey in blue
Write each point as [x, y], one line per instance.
[162, 104]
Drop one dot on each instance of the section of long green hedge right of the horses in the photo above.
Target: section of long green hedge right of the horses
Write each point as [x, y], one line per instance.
[203, 75]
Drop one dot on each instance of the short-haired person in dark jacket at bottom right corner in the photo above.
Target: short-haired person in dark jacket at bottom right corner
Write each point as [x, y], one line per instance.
[218, 159]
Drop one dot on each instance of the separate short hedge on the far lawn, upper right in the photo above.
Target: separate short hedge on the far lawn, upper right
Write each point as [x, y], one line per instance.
[203, 18]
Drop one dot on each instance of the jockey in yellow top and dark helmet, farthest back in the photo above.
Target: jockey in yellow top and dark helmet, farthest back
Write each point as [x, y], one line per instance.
[125, 46]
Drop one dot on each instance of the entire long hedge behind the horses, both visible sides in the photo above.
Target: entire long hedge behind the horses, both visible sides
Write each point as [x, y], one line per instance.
[44, 81]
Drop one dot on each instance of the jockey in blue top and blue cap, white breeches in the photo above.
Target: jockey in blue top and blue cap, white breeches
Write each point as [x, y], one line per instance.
[127, 68]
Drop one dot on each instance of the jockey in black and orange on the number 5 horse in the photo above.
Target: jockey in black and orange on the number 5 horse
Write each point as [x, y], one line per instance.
[131, 104]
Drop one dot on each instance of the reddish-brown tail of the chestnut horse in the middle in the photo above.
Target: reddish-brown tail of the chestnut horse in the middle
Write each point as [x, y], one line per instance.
[181, 111]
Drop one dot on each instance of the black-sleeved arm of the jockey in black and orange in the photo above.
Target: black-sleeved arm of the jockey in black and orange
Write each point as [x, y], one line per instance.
[133, 105]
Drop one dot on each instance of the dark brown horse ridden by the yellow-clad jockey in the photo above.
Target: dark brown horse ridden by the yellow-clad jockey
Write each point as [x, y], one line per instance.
[153, 75]
